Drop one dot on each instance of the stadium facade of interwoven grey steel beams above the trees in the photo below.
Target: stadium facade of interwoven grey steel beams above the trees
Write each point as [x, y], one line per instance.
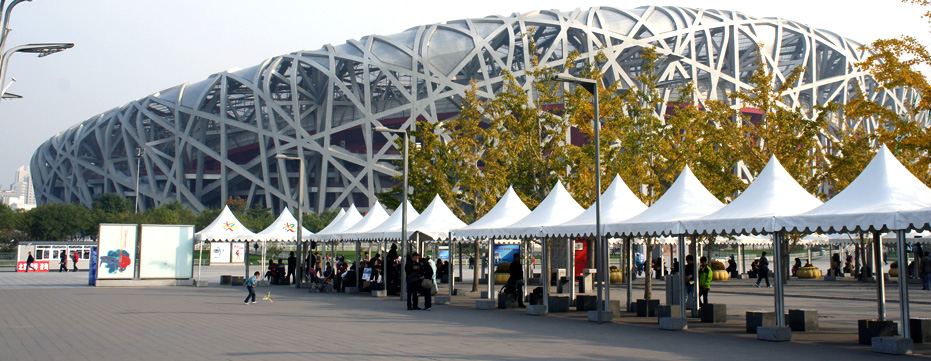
[200, 143]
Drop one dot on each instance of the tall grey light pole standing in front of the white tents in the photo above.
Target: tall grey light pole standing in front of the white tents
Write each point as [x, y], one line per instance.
[602, 265]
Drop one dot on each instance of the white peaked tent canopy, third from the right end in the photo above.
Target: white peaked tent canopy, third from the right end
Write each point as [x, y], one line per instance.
[686, 199]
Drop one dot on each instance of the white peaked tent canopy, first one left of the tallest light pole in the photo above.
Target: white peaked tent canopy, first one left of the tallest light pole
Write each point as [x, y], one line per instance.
[558, 207]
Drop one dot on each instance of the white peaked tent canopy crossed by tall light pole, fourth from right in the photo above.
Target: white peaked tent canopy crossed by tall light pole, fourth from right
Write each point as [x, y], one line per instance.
[620, 204]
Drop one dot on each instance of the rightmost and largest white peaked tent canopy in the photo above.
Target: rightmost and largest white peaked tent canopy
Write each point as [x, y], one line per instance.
[870, 203]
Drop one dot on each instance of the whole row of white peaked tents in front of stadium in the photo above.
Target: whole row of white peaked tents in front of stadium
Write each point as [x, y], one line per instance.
[884, 197]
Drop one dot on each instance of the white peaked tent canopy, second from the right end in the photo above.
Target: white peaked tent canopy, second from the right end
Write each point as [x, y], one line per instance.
[773, 193]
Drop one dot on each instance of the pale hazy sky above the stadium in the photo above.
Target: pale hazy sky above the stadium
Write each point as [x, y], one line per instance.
[128, 49]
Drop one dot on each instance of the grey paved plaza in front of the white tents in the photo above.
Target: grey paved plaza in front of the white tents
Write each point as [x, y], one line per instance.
[53, 316]
